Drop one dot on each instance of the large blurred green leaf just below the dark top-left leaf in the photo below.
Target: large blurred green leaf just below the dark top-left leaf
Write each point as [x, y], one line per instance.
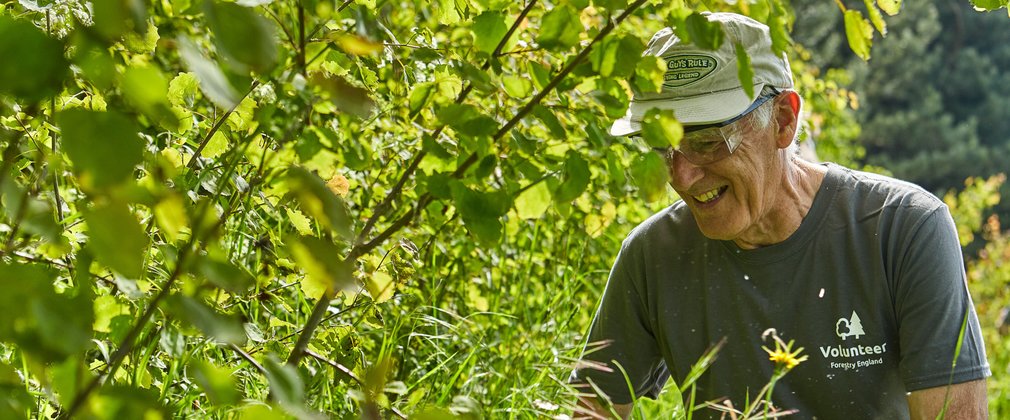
[105, 147]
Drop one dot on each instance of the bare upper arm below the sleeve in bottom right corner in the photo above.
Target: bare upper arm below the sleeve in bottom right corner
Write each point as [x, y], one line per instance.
[966, 401]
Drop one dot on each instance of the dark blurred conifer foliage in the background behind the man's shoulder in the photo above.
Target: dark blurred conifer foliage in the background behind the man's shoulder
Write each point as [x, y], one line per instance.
[933, 100]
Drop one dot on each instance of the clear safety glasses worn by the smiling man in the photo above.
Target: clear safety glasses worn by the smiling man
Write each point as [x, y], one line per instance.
[704, 145]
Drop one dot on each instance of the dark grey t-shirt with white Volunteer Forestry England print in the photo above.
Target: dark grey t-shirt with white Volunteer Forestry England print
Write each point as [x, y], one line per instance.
[872, 285]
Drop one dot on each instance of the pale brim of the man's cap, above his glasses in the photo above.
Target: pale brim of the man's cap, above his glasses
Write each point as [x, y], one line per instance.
[703, 110]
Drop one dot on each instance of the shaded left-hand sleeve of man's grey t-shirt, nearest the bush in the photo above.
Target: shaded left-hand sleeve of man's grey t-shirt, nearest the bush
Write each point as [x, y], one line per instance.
[621, 338]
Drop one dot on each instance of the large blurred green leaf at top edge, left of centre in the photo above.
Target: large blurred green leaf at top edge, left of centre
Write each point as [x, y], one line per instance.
[243, 35]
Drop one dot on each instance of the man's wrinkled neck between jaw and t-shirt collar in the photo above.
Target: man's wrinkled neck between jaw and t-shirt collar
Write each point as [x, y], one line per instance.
[787, 203]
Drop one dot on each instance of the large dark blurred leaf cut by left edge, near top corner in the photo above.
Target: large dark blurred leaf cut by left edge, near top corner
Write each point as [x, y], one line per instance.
[35, 67]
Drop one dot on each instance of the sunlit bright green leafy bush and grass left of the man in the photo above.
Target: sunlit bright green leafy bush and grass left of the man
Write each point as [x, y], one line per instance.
[285, 209]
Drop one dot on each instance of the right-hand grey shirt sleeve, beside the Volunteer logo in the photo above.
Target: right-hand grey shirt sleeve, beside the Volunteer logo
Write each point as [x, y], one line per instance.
[932, 304]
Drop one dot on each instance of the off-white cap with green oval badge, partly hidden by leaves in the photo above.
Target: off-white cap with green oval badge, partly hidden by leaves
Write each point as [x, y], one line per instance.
[703, 87]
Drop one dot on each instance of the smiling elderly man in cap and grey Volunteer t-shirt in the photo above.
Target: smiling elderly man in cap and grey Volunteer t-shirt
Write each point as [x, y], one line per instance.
[863, 271]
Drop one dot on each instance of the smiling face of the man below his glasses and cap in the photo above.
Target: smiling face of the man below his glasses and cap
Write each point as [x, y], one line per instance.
[735, 196]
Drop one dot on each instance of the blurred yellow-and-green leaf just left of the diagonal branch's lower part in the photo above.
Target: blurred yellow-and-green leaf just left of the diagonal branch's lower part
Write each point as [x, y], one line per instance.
[322, 261]
